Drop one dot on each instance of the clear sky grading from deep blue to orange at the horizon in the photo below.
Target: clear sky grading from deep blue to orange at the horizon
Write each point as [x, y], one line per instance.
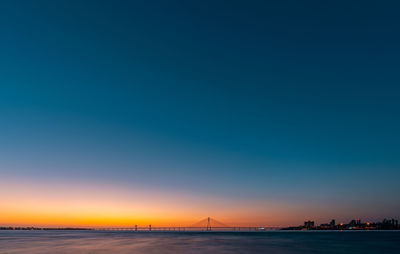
[115, 113]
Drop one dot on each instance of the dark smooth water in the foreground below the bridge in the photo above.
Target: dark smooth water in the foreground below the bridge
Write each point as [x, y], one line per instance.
[96, 242]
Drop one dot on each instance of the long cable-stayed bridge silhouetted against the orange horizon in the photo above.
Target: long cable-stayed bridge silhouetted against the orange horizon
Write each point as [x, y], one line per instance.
[207, 224]
